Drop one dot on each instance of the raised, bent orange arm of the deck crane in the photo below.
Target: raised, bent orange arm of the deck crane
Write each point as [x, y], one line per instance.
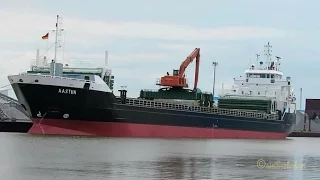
[187, 61]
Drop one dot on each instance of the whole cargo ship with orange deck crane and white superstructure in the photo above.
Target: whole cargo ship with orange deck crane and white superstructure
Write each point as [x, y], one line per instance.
[69, 101]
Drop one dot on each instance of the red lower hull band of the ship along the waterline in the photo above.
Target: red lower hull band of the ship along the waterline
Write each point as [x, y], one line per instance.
[113, 129]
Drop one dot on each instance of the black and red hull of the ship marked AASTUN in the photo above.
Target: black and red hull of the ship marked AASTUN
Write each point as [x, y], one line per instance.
[74, 110]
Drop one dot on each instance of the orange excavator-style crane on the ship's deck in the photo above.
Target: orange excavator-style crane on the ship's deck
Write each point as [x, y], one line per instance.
[177, 79]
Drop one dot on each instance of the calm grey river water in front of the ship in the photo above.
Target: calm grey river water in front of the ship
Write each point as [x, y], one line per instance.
[33, 157]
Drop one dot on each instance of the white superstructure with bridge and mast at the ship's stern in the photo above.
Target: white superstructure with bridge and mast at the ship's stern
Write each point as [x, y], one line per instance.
[264, 81]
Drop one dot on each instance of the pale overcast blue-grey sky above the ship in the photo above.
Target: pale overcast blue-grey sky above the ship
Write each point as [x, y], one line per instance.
[145, 38]
